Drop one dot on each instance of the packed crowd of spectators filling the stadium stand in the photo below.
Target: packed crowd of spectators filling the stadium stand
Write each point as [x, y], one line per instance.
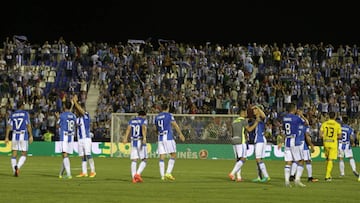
[195, 78]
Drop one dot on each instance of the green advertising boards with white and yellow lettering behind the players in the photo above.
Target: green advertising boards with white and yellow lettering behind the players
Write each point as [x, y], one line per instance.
[184, 151]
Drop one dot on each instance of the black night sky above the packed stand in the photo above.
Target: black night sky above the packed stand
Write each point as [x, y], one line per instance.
[187, 21]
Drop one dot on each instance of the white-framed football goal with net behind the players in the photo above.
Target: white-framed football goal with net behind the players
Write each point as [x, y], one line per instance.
[197, 128]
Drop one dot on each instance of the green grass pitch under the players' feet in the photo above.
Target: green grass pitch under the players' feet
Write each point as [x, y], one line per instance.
[196, 181]
